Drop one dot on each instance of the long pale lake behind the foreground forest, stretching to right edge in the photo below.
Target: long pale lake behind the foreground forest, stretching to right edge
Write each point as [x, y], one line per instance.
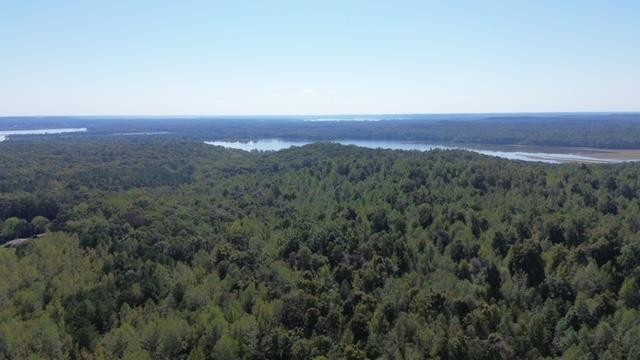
[554, 155]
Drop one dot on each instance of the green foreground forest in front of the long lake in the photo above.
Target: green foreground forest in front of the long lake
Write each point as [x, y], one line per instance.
[169, 250]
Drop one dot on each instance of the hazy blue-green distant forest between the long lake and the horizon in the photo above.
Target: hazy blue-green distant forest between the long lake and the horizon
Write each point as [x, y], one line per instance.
[614, 131]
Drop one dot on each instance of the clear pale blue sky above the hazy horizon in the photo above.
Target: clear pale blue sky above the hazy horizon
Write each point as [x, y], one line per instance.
[154, 57]
